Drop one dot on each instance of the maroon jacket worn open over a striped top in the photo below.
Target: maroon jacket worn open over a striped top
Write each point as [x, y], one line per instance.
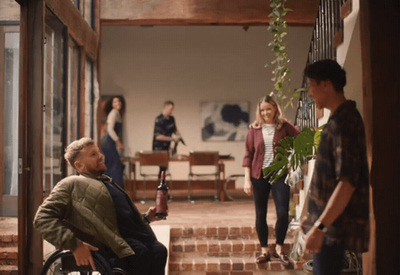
[255, 147]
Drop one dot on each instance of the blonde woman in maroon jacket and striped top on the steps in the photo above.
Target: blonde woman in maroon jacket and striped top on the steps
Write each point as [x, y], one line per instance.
[262, 138]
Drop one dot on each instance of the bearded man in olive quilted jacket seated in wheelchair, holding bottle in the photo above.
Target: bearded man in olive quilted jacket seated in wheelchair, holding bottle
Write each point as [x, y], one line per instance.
[91, 203]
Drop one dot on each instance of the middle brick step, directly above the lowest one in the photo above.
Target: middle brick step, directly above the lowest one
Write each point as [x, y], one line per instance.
[218, 248]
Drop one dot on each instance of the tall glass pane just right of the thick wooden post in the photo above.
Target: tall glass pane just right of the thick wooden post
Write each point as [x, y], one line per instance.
[53, 104]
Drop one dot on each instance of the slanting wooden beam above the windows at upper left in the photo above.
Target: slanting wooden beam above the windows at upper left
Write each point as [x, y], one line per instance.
[77, 26]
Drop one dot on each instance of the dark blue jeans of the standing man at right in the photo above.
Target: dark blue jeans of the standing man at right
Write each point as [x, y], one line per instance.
[329, 261]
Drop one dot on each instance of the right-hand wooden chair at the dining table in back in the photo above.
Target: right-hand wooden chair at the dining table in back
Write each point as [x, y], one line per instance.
[204, 159]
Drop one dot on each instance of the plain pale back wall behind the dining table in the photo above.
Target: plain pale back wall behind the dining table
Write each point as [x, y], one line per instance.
[189, 65]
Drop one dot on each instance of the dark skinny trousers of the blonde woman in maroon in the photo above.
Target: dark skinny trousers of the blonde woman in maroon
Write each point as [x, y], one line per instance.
[281, 194]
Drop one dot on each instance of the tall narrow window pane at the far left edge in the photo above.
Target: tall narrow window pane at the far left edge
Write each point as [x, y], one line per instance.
[9, 98]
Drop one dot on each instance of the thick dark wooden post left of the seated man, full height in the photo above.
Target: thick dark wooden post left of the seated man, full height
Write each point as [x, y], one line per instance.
[31, 142]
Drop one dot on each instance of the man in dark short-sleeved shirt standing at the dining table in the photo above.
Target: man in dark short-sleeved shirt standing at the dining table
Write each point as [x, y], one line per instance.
[165, 130]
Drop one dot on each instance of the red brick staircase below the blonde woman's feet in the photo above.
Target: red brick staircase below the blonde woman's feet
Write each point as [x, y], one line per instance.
[221, 250]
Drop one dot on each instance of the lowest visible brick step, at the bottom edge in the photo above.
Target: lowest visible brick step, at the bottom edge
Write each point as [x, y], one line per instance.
[234, 265]
